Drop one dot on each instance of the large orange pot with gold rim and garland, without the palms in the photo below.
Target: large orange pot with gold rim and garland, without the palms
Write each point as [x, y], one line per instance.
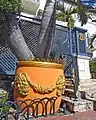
[45, 75]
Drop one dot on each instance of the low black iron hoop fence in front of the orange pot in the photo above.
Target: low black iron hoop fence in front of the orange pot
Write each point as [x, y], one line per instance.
[30, 109]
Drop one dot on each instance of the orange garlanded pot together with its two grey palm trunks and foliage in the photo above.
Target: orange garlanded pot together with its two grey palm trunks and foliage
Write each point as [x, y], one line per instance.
[40, 76]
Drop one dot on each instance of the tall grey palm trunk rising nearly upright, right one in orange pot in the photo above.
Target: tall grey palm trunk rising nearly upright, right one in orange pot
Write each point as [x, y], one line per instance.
[46, 33]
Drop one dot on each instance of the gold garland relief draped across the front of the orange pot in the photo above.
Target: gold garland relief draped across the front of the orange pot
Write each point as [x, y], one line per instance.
[22, 83]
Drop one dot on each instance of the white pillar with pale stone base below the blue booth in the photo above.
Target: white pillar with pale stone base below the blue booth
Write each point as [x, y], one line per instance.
[86, 84]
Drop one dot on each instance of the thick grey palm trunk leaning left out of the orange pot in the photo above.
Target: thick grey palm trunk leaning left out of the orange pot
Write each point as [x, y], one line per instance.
[12, 34]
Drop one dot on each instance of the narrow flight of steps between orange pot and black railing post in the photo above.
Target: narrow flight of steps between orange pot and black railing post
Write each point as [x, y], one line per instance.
[68, 96]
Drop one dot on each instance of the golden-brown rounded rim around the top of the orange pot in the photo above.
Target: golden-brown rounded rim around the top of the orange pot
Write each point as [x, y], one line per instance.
[40, 64]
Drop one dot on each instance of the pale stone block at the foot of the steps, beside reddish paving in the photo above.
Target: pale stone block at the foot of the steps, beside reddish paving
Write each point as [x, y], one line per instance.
[77, 106]
